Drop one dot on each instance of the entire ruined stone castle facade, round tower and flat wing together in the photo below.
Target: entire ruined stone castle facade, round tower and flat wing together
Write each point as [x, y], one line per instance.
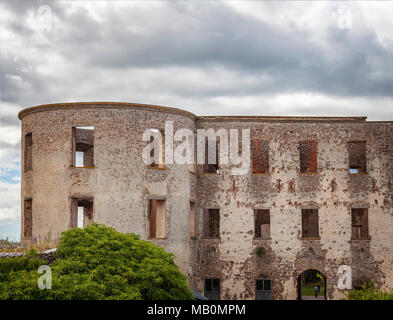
[331, 165]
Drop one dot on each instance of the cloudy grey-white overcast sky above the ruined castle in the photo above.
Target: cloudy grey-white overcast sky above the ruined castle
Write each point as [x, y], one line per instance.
[208, 57]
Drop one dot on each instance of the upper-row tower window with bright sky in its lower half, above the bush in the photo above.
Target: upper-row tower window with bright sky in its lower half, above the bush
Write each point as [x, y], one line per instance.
[83, 146]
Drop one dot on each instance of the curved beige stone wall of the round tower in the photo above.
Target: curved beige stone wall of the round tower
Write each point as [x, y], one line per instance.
[119, 183]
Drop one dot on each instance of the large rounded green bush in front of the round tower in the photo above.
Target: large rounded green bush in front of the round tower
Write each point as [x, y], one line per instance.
[98, 262]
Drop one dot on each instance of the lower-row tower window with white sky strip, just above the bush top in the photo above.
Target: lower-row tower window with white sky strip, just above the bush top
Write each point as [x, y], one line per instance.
[81, 212]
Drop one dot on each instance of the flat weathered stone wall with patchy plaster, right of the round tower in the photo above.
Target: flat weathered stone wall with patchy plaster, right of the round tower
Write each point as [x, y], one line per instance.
[285, 191]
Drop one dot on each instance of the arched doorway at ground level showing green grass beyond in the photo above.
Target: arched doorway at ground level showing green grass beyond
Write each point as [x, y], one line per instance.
[306, 283]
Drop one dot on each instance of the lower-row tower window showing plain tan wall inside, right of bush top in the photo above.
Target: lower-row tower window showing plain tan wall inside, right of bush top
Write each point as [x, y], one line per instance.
[157, 217]
